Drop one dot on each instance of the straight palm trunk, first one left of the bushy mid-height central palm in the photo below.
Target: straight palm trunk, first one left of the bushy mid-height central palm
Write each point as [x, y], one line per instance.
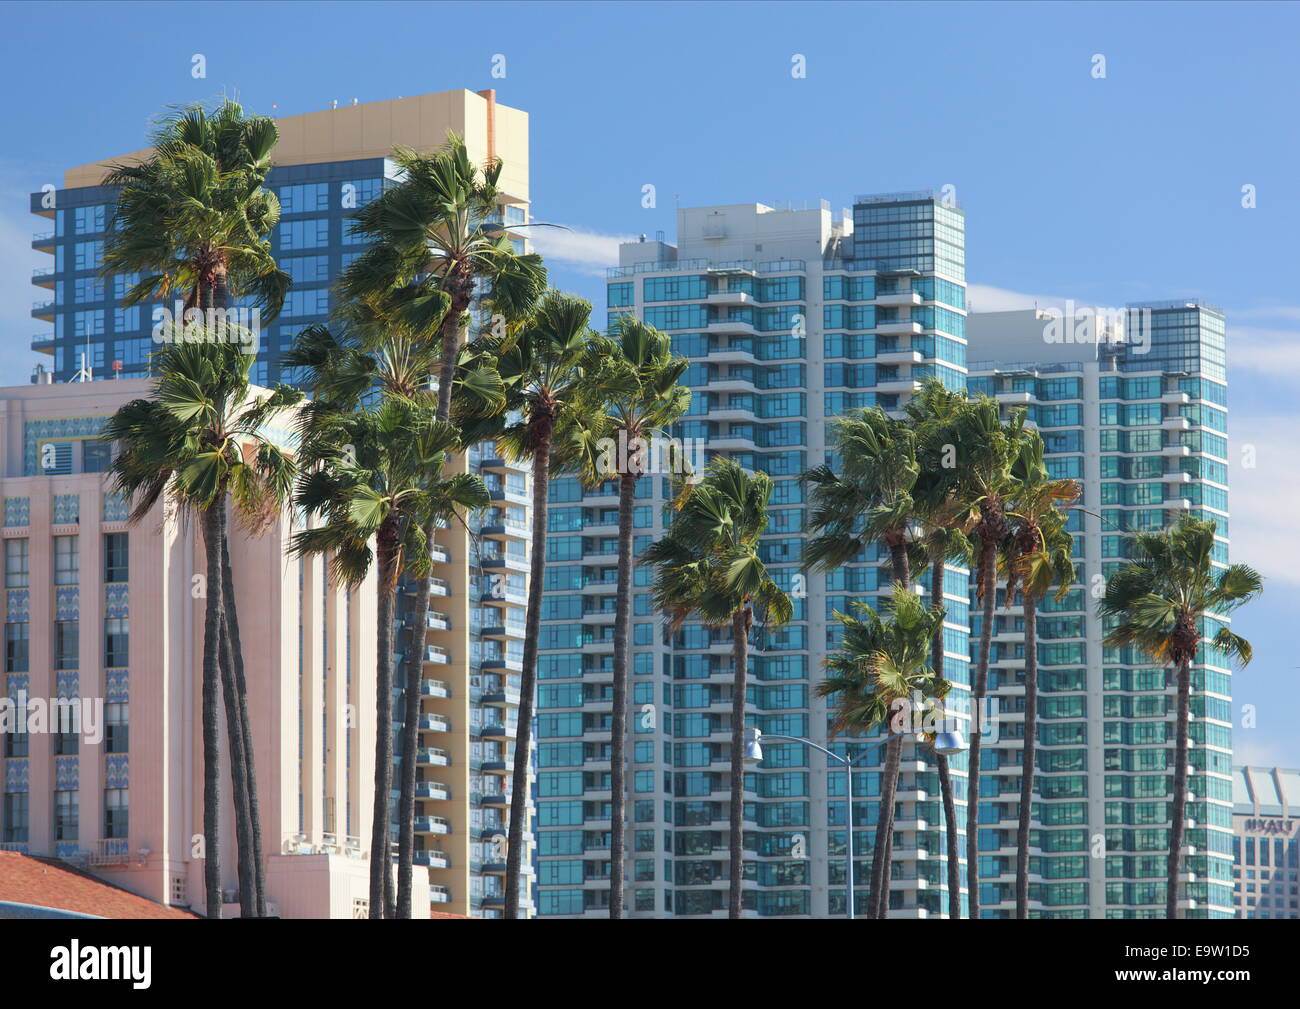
[619, 724]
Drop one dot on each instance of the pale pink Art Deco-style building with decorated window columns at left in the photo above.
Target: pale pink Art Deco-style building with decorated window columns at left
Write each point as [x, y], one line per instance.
[101, 705]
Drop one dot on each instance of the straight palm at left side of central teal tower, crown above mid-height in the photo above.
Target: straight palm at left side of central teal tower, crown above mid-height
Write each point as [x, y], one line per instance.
[635, 382]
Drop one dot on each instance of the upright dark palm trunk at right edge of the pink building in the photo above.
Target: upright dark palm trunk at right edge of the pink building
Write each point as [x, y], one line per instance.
[382, 848]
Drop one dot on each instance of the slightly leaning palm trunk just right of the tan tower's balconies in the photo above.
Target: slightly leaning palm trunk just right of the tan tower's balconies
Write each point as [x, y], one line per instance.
[528, 677]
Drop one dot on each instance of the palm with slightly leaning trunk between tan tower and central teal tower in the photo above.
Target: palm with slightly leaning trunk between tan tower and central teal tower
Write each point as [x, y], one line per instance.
[541, 365]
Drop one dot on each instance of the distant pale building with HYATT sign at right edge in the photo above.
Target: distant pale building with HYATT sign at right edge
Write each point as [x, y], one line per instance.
[1267, 842]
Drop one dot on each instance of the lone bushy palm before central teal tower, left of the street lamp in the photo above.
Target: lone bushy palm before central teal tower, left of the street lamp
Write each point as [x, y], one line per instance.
[708, 565]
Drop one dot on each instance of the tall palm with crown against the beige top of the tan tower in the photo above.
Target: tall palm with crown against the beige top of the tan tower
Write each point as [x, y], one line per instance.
[434, 240]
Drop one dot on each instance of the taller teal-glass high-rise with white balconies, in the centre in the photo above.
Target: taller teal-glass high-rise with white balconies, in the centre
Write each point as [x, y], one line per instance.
[788, 315]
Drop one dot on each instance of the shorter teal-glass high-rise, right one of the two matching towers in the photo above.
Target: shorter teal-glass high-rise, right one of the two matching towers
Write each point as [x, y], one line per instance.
[1132, 402]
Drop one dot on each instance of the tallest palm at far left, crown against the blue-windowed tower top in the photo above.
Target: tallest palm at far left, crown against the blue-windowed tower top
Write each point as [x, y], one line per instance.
[194, 220]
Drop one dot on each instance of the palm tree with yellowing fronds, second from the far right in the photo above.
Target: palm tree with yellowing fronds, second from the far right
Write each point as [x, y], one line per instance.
[1038, 555]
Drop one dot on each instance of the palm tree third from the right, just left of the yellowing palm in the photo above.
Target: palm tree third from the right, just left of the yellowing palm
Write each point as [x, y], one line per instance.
[985, 449]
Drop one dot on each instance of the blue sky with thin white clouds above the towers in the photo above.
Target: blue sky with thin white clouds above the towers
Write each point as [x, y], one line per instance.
[1106, 190]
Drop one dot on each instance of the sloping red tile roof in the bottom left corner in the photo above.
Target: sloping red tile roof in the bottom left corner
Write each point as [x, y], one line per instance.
[53, 884]
